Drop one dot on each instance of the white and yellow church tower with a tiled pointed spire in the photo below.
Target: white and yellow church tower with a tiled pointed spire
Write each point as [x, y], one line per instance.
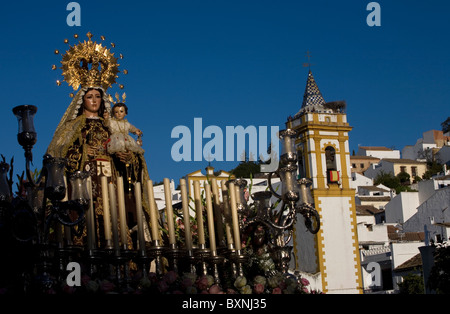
[331, 256]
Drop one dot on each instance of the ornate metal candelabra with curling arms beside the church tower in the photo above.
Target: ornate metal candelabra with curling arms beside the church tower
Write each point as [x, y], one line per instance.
[295, 198]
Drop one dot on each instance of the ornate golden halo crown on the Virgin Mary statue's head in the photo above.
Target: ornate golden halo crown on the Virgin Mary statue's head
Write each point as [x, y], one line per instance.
[89, 64]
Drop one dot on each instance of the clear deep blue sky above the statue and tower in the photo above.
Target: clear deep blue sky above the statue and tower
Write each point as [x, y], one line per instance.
[234, 63]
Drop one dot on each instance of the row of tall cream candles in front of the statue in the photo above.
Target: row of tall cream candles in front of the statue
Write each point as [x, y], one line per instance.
[115, 223]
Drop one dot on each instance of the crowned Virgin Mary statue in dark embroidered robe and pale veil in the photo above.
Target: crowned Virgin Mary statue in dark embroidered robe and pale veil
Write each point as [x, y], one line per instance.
[81, 137]
